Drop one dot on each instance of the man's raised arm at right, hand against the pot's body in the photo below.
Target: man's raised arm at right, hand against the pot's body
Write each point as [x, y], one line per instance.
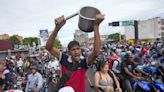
[97, 42]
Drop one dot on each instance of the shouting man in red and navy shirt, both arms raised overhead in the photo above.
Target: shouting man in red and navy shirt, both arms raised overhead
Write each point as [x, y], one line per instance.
[74, 67]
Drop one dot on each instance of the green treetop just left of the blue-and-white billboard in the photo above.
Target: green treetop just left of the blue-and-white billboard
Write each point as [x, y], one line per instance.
[30, 40]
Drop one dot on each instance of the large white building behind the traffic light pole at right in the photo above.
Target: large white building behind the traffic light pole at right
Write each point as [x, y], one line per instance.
[147, 29]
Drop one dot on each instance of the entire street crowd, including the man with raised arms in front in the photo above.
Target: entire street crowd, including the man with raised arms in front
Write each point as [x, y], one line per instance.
[54, 70]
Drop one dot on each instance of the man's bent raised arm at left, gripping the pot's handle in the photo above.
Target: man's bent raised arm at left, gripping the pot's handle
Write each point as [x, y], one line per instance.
[49, 45]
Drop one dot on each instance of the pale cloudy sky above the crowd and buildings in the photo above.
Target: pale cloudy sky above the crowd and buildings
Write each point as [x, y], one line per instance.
[27, 17]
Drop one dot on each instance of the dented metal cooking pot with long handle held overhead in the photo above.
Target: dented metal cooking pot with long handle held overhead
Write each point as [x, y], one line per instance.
[87, 17]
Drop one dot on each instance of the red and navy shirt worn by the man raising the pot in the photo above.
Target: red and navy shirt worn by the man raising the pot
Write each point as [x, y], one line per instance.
[77, 77]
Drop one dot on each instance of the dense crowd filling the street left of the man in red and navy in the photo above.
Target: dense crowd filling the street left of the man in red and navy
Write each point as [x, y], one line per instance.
[27, 72]
